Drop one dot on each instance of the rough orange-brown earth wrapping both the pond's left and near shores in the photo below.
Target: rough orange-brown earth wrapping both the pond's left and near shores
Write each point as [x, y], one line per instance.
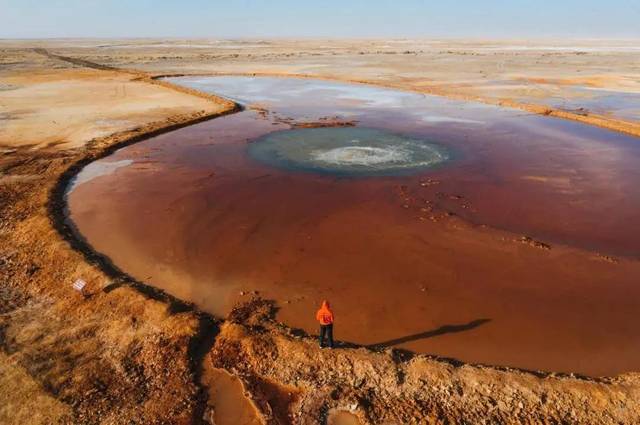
[129, 353]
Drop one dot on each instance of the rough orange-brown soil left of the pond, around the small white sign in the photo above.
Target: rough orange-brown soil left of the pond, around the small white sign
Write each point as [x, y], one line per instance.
[124, 352]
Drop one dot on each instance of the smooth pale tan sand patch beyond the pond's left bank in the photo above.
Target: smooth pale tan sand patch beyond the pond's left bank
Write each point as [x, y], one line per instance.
[71, 107]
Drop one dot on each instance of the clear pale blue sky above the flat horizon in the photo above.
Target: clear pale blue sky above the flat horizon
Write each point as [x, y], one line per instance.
[320, 18]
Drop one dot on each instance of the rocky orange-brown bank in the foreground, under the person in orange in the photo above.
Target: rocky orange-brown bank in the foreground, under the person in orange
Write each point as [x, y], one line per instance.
[395, 387]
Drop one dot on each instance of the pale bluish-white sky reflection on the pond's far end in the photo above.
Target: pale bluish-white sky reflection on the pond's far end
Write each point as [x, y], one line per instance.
[309, 99]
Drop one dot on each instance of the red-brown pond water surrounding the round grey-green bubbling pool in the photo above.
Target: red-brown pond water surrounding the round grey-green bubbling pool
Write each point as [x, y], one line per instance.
[430, 261]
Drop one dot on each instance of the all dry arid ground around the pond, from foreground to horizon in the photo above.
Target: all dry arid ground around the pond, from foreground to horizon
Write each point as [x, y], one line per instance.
[126, 352]
